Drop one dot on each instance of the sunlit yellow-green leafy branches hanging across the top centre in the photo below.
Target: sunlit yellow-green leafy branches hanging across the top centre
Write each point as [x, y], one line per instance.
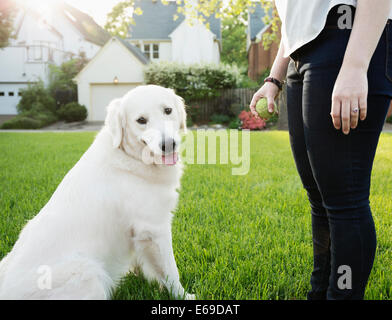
[120, 17]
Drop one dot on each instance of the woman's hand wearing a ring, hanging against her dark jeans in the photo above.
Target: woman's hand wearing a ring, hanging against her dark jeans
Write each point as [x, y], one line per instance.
[349, 98]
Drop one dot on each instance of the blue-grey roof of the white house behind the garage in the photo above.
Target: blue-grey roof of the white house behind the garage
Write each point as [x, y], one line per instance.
[157, 23]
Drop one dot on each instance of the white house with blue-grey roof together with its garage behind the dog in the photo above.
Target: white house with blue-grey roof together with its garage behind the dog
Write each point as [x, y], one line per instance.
[118, 66]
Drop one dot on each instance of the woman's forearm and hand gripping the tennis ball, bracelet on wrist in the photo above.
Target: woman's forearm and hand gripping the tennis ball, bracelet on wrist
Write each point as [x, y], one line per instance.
[270, 90]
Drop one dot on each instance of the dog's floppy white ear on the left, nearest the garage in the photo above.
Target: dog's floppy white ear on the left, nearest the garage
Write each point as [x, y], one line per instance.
[115, 121]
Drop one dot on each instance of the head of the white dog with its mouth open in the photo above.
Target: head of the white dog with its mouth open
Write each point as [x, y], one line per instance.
[146, 123]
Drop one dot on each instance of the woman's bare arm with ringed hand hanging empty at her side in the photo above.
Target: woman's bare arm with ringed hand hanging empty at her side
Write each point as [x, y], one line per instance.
[351, 87]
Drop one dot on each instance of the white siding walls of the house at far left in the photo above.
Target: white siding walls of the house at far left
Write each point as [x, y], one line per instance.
[38, 44]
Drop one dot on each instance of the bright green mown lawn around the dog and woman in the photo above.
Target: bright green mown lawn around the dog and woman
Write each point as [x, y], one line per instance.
[235, 237]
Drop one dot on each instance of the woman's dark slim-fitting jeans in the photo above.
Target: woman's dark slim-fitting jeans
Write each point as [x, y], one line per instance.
[335, 169]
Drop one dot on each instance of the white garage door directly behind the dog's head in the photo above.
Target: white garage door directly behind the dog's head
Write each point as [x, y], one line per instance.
[102, 94]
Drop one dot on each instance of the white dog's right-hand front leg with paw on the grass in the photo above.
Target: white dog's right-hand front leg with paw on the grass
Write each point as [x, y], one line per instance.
[158, 263]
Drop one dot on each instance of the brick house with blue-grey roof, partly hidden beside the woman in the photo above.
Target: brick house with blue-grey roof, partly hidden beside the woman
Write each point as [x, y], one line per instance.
[259, 59]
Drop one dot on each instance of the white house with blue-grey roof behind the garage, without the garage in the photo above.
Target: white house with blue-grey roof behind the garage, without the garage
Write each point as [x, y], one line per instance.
[163, 34]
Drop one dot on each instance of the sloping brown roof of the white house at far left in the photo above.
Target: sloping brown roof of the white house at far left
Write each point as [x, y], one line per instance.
[86, 25]
